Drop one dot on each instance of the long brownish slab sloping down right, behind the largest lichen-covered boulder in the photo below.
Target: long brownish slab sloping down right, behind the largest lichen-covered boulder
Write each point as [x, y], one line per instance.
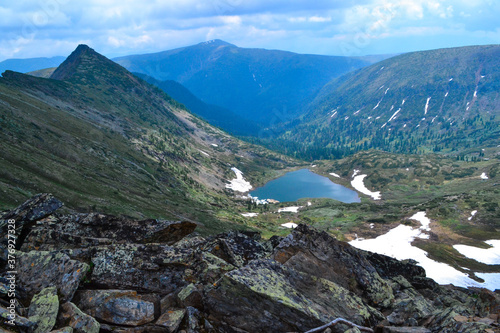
[321, 255]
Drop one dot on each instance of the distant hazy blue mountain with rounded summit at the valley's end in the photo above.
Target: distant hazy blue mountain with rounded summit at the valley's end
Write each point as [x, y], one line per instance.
[266, 86]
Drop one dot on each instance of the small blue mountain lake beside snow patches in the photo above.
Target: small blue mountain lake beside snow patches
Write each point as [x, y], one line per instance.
[304, 184]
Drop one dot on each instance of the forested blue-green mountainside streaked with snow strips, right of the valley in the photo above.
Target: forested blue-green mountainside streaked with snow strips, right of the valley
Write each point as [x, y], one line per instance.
[442, 100]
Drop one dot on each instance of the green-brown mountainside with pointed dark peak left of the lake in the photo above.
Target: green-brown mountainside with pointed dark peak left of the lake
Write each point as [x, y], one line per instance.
[108, 141]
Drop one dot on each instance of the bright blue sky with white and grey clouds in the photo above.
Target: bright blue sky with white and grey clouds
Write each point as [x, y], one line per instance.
[45, 28]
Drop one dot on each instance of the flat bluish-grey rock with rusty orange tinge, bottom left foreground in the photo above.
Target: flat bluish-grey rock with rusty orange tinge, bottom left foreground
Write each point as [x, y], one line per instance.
[119, 307]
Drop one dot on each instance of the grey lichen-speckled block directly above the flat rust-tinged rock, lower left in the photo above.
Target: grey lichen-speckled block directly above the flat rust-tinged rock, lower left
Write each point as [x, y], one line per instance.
[147, 268]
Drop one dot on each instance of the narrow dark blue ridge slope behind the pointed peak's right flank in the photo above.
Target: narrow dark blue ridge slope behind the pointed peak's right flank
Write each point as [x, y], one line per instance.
[215, 115]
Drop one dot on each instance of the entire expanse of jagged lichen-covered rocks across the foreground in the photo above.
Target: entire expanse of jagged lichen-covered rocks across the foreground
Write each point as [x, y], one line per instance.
[101, 273]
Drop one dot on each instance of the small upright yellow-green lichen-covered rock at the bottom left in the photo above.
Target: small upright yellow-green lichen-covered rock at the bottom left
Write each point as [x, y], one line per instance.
[43, 309]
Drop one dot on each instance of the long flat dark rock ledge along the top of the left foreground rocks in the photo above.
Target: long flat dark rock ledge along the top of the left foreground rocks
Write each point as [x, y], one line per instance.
[83, 230]
